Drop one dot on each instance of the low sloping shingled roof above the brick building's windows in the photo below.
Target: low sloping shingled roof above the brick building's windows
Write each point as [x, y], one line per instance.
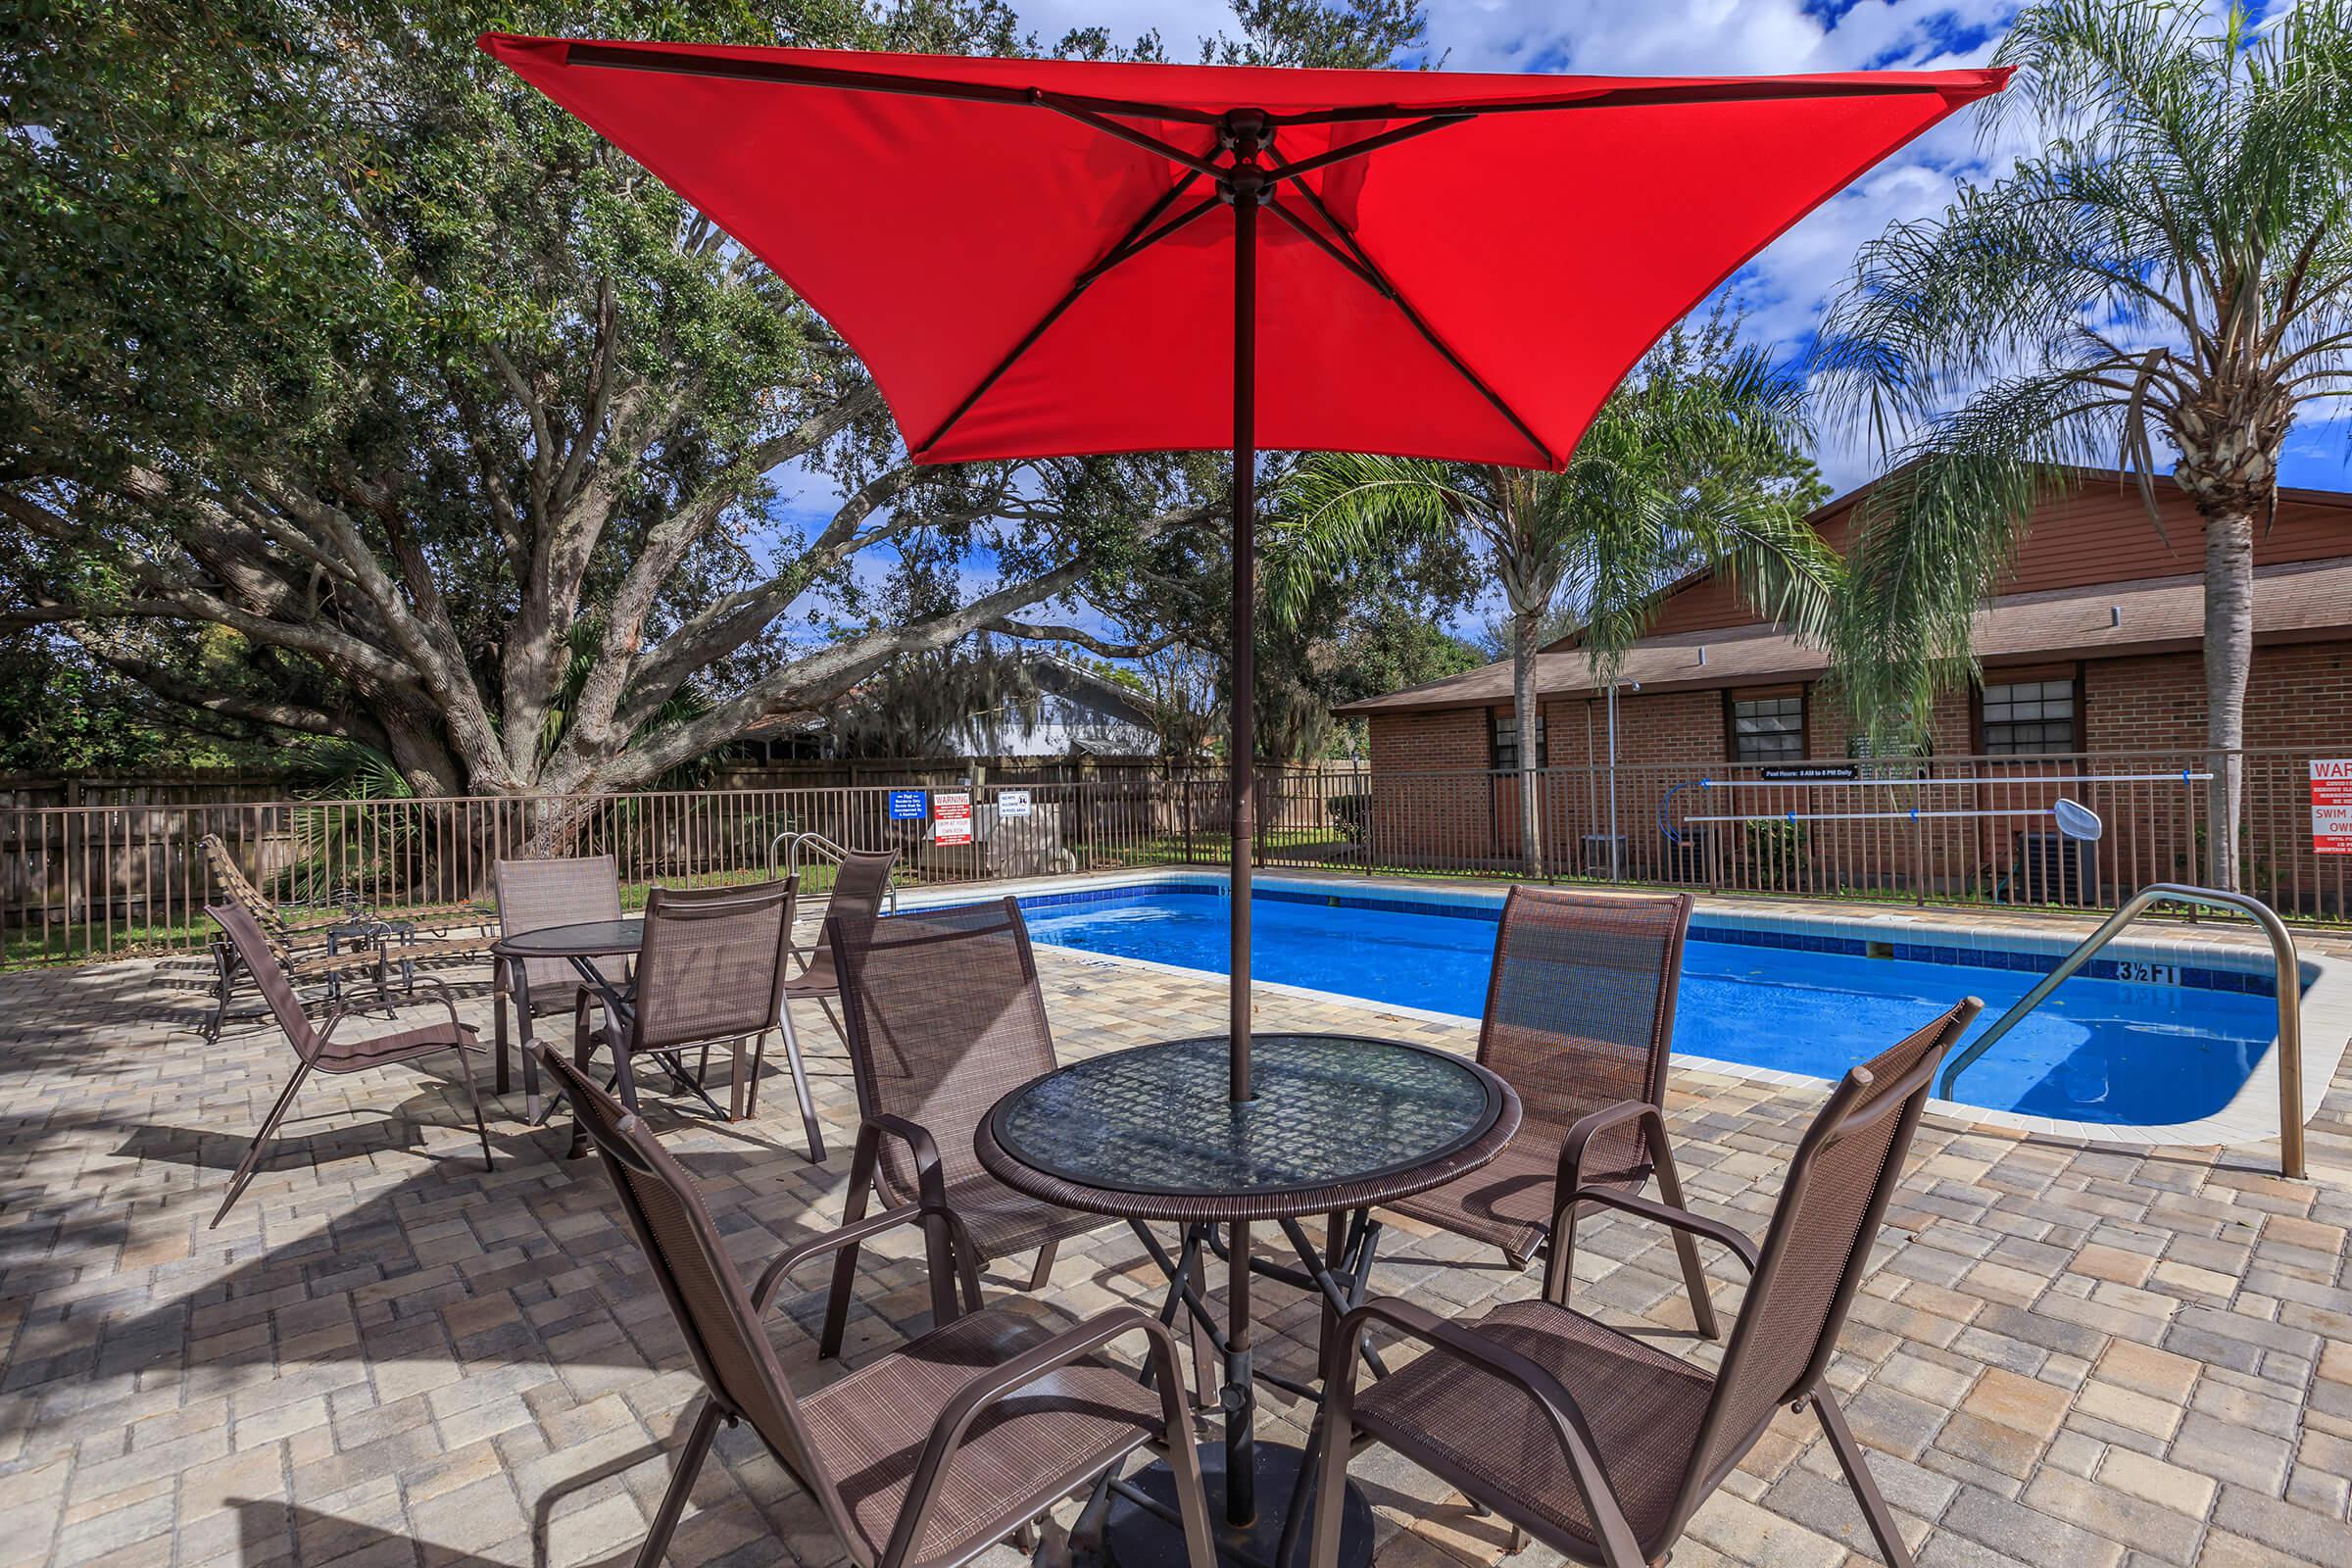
[2106, 622]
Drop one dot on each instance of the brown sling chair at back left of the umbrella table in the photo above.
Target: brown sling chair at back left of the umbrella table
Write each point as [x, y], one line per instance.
[944, 1017]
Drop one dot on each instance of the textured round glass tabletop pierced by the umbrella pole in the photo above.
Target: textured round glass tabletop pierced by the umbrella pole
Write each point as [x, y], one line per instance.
[1330, 1111]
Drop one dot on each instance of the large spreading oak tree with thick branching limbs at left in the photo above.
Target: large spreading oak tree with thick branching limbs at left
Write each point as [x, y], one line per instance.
[356, 391]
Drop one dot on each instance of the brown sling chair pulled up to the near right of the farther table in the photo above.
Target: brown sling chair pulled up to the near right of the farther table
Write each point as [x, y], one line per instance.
[711, 970]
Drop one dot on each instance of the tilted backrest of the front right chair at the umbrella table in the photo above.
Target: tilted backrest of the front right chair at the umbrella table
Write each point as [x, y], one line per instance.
[1822, 1231]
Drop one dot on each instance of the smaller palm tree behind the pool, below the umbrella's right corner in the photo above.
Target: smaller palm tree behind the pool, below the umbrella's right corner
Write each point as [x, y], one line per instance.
[1671, 476]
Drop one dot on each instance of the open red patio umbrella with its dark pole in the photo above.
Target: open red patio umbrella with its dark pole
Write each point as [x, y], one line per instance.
[1067, 257]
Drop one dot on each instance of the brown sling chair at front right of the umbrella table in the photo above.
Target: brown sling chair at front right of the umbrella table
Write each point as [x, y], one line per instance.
[1603, 1445]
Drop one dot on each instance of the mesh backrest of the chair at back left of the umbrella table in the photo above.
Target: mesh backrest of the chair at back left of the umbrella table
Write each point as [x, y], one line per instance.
[944, 1017]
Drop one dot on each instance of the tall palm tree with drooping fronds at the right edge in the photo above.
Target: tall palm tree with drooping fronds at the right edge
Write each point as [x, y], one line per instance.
[2174, 262]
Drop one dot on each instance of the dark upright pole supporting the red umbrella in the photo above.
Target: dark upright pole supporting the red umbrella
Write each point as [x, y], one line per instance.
[1245, 594]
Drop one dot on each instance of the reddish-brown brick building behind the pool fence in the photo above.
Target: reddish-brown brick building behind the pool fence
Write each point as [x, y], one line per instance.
[2092, 645]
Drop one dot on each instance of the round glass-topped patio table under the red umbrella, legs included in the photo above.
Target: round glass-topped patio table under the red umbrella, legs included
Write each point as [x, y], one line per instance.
[1339, 1125]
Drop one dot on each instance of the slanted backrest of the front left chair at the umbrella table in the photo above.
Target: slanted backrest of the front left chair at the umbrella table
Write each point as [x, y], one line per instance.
[690, 1261]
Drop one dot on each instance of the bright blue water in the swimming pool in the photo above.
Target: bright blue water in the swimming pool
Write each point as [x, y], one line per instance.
[2097, 1052]
